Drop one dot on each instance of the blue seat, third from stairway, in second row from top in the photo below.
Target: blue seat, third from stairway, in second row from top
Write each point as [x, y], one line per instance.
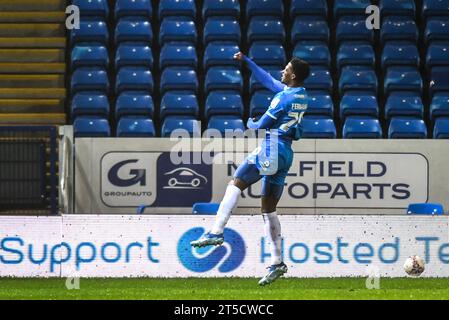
[179, 30]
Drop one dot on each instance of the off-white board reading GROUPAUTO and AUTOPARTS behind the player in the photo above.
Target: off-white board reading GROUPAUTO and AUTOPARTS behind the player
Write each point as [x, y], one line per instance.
[326, 177]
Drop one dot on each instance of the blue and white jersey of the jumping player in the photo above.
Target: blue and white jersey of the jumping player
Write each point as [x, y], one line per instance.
[288, 108]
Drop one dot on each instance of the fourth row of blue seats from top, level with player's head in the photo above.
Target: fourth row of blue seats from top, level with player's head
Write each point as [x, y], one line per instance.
[352, 78]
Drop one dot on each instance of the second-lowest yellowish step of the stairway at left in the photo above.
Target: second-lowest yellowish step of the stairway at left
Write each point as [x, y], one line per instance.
[31, 106]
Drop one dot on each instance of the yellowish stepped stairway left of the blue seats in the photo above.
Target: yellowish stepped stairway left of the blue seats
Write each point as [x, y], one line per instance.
[32, 61]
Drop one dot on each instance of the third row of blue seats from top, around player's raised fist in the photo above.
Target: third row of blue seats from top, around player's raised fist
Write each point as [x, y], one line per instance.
[221, 53]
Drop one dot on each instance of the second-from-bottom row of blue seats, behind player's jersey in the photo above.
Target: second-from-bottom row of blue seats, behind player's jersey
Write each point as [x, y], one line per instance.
[230, 103]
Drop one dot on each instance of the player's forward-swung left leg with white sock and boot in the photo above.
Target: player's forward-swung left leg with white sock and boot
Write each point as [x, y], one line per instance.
[246, 174]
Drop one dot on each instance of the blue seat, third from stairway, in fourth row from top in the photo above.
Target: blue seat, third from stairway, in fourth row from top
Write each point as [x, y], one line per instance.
[179, 79]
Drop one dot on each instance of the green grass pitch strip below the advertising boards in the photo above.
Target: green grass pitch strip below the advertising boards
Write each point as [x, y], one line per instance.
[225, 289]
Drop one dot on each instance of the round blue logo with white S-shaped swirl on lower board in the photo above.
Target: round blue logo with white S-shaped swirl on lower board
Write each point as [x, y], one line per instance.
[227, 257]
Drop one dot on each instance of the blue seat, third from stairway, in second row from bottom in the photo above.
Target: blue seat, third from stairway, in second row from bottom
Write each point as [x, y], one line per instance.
[179, 103]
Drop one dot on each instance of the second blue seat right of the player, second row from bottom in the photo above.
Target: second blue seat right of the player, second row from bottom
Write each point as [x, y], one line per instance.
[356, 104]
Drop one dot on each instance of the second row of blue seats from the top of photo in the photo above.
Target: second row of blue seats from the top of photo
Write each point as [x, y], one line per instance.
[305, 28]
